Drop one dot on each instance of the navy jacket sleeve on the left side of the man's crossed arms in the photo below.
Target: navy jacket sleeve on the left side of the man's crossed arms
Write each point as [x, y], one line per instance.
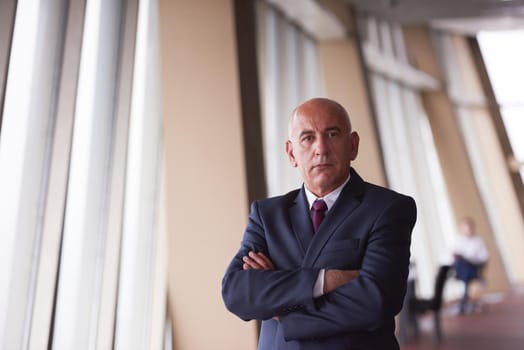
[262, 294]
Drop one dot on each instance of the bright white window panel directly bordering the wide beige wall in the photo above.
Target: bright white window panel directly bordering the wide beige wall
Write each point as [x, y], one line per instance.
[142, 284]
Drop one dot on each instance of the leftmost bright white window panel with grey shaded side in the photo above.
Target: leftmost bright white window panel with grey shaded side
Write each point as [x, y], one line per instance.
[25, 151]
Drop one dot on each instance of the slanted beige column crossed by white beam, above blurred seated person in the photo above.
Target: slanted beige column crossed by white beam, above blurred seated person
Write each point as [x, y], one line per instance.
[458, 174]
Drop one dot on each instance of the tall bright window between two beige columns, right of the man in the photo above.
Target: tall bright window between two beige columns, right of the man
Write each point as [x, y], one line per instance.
[410, 157]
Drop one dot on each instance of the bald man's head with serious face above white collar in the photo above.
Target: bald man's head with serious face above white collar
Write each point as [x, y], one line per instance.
[322, 146]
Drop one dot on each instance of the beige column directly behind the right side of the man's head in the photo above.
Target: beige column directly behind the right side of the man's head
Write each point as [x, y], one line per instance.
[344, 82]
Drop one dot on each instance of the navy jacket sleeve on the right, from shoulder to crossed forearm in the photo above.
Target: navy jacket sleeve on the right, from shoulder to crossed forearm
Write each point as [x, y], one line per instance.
[376, 296]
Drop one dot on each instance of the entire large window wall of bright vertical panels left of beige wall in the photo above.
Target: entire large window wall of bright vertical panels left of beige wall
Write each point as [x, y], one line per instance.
[81, 264]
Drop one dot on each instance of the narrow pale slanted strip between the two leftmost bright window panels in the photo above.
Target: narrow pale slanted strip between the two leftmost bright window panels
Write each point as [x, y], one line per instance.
[58, 174]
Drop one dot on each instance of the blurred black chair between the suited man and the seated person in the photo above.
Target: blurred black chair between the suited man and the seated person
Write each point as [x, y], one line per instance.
[420, 306]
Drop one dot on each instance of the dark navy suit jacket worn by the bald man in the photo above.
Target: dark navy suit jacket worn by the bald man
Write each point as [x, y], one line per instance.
[368, 229]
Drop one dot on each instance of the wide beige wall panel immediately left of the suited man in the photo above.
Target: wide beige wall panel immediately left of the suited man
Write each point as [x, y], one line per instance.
[206, 191]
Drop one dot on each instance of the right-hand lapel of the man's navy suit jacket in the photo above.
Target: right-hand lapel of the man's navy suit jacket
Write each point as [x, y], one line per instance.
[349, 199]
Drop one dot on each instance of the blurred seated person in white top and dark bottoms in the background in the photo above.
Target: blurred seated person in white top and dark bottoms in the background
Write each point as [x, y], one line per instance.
[470, 256]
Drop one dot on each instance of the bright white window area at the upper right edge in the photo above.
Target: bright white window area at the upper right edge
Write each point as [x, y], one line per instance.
[503, 53]
